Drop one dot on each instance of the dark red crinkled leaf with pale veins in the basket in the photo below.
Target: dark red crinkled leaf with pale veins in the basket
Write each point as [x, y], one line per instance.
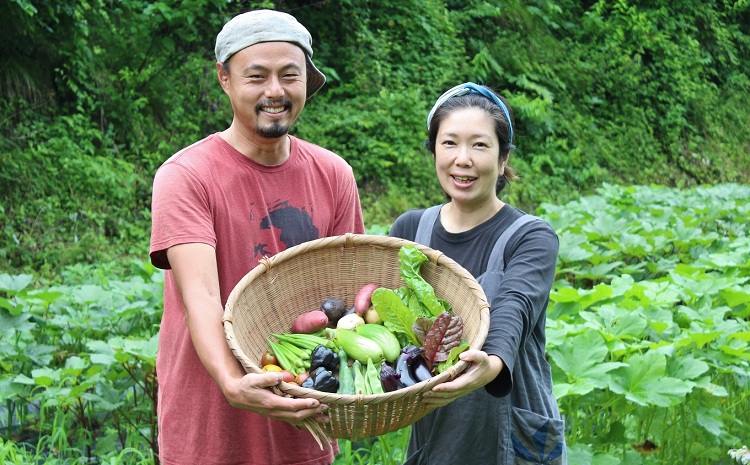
[440, 337]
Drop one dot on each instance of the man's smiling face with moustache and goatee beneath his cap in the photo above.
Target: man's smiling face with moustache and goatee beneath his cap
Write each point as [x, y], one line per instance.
[266, 85]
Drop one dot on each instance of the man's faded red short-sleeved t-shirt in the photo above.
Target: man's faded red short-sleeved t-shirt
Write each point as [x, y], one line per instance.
[211, 193]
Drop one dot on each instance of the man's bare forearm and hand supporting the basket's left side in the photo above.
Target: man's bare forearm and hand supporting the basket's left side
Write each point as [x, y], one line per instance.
[195, 272]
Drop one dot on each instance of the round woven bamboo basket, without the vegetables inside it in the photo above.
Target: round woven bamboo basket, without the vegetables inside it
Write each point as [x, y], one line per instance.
[296, 280]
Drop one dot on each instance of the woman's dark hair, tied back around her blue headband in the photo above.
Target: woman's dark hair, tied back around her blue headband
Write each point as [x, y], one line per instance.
[502, 128]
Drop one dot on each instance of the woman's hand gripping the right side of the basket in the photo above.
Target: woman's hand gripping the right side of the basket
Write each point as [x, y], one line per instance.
[483, 369]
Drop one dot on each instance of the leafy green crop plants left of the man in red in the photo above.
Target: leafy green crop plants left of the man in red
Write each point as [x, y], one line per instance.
[78, 371]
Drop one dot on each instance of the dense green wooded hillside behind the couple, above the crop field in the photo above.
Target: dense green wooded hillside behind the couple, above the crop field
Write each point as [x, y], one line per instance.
[96, 94]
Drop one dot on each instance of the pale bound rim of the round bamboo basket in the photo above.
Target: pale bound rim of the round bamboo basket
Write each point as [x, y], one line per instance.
[436, 257]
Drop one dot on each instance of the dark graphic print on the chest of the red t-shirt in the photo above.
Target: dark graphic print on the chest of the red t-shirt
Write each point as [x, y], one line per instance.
[288, 224]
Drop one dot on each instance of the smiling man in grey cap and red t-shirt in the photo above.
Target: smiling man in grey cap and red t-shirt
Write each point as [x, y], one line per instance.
[218, 207]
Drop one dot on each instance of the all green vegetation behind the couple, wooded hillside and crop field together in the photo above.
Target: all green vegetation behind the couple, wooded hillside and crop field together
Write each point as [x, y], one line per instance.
[608, 96]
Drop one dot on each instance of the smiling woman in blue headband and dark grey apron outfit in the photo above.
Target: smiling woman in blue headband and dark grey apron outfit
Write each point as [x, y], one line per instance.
[513, 418]
